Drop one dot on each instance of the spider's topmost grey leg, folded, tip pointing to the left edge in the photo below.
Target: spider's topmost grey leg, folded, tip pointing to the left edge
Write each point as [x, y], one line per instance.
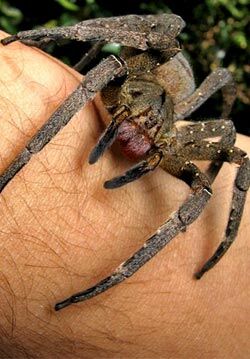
[141, 32]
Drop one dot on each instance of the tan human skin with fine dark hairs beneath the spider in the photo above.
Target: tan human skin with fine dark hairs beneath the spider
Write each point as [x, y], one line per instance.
[61, 232]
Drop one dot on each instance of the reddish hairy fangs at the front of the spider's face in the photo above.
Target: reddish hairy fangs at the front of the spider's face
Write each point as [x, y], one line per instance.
[135, 143]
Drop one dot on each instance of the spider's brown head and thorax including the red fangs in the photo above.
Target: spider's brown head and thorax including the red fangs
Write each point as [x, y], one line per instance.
[140, 106]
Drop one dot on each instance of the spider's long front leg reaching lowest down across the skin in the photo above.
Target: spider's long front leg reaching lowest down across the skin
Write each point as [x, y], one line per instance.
[178, 221]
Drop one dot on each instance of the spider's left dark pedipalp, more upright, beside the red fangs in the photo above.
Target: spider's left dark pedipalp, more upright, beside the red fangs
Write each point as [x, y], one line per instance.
[109, 135]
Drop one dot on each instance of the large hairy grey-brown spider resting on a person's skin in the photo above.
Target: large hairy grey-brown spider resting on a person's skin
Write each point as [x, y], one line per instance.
[147, 90]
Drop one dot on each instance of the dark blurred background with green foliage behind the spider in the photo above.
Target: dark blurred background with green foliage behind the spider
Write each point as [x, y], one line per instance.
[217, 34]
